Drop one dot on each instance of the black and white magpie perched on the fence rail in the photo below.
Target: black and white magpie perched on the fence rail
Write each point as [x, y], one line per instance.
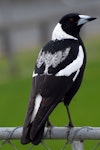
[57, 76]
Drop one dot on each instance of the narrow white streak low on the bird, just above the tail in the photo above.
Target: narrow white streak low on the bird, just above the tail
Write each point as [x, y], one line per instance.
[36, 106]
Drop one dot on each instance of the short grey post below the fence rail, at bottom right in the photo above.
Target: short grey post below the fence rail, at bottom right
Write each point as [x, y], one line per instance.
[77, 145]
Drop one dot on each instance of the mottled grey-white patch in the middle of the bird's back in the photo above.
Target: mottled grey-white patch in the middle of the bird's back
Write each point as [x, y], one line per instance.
[49, 59]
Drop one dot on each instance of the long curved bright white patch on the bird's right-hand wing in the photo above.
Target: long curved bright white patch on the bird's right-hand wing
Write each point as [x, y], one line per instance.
[74, 66]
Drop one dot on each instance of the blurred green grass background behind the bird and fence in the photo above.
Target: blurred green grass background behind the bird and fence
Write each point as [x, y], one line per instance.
[15, 91]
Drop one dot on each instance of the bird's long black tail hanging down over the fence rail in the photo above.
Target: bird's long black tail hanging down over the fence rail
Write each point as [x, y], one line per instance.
[33, 132]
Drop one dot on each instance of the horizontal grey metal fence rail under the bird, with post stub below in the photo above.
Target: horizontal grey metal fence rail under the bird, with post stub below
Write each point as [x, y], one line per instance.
[75, 135]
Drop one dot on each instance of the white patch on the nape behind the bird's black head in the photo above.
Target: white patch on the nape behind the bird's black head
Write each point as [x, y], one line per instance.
[59, 34]
